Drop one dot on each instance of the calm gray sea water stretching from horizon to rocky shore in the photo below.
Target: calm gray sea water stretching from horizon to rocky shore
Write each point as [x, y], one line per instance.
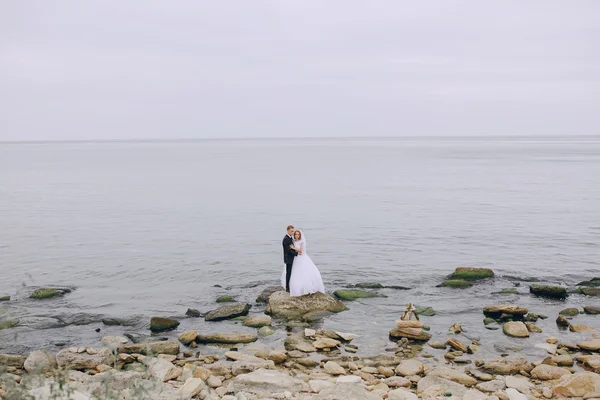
[149, 228]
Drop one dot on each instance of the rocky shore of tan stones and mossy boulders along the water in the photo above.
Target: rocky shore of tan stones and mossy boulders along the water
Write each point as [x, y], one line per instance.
[319, 363]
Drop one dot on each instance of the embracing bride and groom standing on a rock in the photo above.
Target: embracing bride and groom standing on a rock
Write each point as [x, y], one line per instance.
[300, 275]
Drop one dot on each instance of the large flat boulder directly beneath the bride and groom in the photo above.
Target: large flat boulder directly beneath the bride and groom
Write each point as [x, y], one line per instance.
[282, 305]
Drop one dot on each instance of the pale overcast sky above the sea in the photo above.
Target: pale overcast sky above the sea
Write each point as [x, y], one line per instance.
[115, 69]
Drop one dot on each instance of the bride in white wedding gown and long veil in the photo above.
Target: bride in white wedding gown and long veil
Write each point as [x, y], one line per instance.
[306, 278]
